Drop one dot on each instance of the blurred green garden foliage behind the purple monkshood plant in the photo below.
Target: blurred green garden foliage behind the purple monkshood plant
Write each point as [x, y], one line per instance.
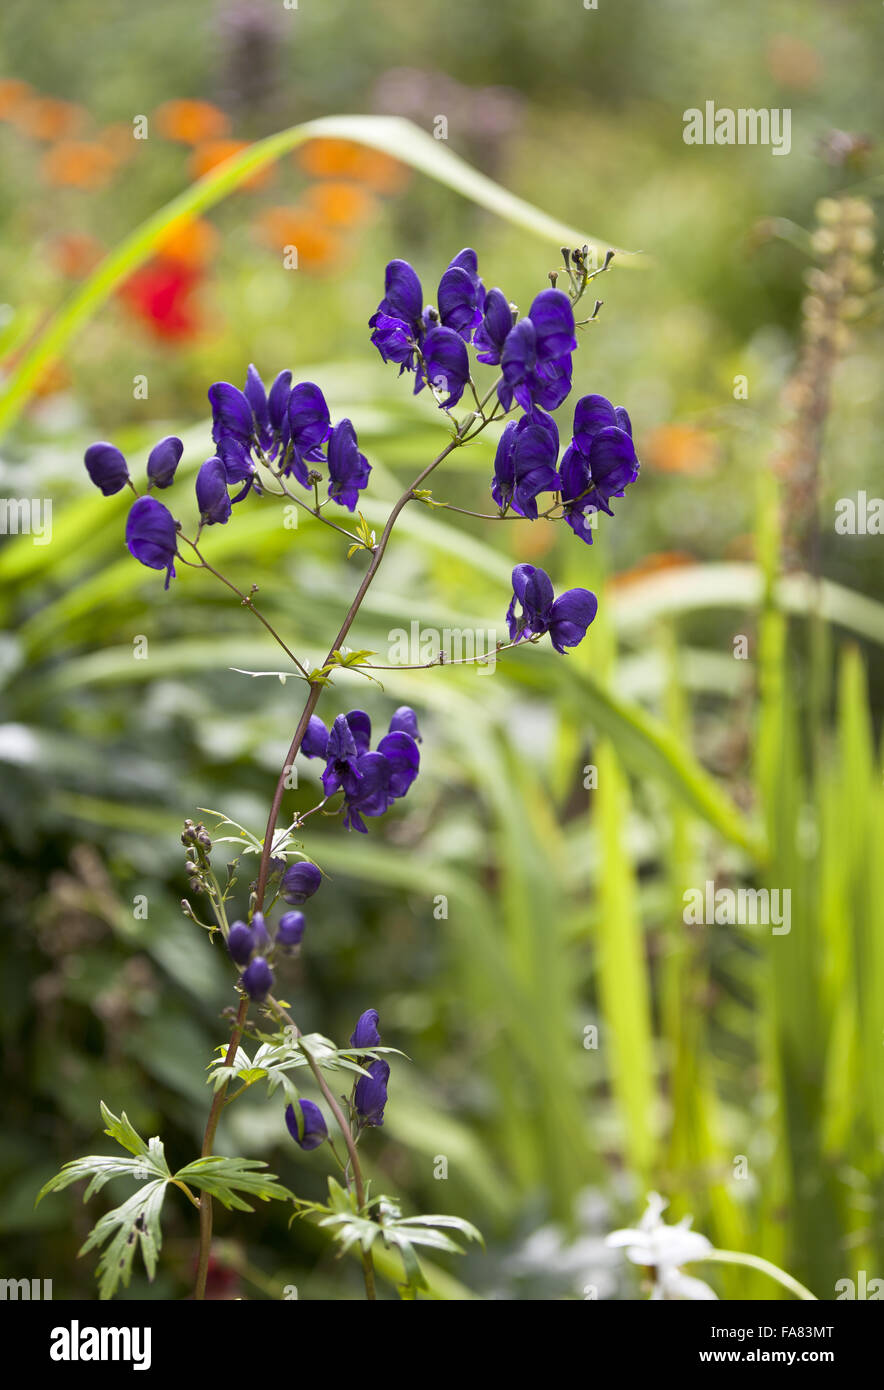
[565, 906]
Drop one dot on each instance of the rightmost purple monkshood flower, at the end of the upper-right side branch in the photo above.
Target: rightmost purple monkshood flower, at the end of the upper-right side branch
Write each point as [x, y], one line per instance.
[600, 464]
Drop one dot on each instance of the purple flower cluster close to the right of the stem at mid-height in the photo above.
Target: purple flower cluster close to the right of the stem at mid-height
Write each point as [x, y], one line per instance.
[370, 780]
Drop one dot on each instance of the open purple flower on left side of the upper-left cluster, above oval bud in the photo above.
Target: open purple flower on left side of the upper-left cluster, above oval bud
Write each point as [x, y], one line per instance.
[247, 420]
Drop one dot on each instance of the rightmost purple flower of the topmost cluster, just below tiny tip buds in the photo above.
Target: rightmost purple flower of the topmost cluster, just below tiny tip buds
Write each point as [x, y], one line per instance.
[536, 361]
